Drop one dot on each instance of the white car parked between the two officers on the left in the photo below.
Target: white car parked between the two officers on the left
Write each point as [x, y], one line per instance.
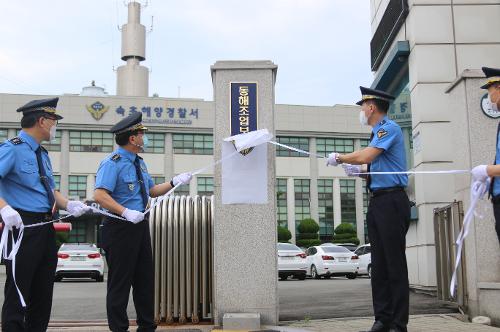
[79, 261]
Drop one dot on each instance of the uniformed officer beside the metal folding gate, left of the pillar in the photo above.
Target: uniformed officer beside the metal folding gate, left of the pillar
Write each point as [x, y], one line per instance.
[123, 186]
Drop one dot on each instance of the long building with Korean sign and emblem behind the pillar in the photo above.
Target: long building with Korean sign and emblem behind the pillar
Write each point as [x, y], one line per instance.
[180, 135]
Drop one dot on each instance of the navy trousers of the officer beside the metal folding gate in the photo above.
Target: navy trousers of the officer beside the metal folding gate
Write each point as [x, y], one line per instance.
[130, 262]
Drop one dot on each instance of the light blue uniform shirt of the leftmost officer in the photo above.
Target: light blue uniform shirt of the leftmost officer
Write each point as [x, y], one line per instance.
[20, 184]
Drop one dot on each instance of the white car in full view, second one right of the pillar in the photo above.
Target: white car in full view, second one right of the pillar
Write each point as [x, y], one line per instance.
[328, 261]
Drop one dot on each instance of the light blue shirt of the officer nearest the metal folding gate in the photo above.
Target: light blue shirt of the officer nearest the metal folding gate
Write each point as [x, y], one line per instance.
[118, 176]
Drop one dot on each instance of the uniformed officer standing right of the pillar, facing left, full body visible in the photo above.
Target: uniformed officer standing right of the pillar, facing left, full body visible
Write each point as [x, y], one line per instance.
[388, 213]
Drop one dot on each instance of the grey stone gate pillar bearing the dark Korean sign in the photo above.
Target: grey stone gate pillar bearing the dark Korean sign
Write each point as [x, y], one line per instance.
[245, 259]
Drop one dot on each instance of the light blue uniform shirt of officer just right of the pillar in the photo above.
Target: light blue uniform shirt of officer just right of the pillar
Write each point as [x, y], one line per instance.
[387, 135]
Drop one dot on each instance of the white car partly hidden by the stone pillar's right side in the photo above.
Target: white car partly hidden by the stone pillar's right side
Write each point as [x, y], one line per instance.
[291, 261]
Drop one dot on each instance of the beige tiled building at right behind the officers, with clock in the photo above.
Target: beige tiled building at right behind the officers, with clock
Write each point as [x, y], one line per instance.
[429, 53]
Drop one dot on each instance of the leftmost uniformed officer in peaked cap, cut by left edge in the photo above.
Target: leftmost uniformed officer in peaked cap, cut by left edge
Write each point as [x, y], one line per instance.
[27, 196]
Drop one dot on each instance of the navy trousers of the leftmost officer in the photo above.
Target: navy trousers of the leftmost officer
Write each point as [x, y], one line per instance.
[36, 263]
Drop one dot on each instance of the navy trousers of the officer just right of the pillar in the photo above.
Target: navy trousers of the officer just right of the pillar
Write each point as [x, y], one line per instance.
[388, 220]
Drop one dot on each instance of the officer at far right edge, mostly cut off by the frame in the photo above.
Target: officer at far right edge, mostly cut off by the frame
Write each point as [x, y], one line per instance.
[483, 172]
